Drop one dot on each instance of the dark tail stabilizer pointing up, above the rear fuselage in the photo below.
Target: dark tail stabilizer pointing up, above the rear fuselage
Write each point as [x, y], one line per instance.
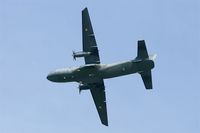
[142, 50]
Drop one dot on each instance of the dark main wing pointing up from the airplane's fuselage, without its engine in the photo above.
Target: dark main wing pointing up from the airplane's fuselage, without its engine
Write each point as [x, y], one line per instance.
[89, 42]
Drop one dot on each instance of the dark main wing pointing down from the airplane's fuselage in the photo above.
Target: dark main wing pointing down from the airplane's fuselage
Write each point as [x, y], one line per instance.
[98, 93]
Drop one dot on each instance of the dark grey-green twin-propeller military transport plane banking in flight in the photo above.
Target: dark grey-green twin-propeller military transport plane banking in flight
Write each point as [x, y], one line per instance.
[91, 76]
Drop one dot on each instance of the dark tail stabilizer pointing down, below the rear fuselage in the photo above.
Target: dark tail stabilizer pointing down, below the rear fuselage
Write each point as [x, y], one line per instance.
[147, 79]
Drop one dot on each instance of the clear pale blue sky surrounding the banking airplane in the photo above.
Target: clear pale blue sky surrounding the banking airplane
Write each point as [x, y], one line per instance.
[37, 36]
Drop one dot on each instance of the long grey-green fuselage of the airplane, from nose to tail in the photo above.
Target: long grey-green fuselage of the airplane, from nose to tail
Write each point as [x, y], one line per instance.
[94, 72]
